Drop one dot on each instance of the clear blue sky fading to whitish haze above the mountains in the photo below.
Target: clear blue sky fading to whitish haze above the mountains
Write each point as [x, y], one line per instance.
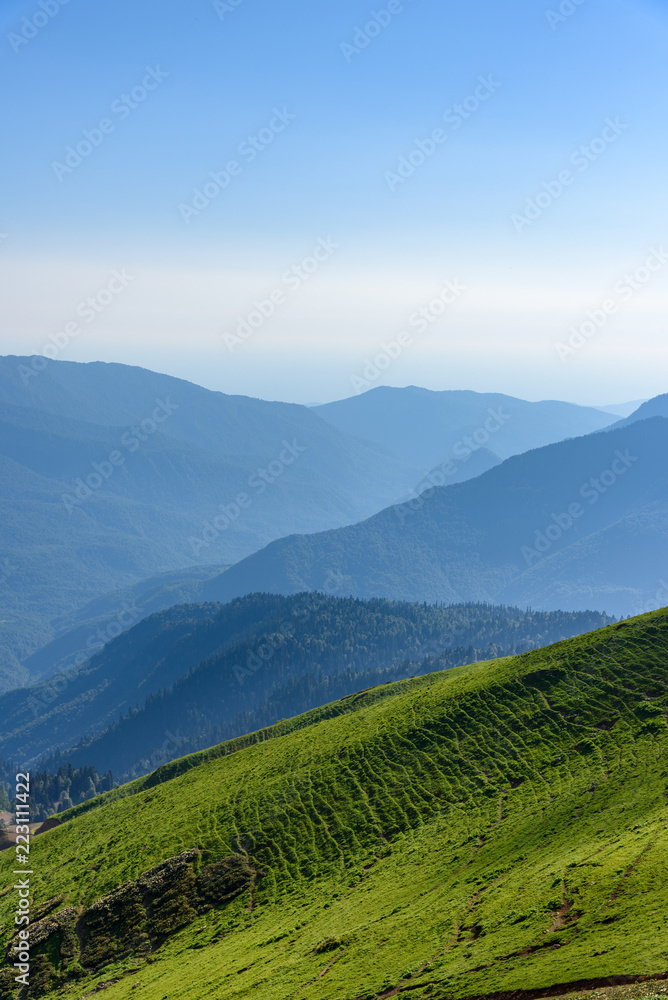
[301, 201]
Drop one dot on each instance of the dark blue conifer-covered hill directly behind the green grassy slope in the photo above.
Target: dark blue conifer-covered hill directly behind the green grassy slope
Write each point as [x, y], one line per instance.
[195, 674]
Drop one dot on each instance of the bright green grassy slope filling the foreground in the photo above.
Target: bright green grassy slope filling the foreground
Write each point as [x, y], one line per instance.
[502, 826]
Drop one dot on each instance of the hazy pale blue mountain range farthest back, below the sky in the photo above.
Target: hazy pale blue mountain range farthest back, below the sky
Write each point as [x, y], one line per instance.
[112, 475]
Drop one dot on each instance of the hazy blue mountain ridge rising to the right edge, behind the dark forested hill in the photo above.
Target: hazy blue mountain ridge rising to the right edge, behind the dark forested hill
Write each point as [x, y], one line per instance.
[574, 525]
